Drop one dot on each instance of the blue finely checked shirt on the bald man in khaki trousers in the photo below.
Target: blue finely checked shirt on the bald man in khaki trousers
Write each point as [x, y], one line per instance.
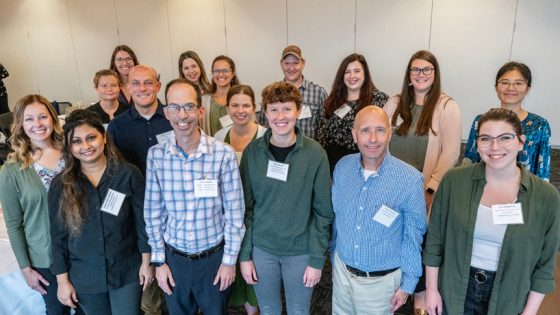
[365, 244]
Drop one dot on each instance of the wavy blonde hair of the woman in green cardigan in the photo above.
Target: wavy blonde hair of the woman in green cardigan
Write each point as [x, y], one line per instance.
[22, 148]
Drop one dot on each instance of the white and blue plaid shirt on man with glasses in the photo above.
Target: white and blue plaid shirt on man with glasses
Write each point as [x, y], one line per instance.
[174, 216]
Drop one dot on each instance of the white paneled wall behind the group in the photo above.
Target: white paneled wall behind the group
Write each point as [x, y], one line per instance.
[54, 47]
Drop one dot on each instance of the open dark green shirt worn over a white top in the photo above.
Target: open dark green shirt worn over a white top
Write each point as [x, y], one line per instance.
[528, 256]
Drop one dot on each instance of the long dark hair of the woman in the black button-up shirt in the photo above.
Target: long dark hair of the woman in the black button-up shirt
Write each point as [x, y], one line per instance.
[72, 201]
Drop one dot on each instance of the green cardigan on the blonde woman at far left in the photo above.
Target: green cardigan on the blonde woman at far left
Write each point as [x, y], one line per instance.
[24, 200]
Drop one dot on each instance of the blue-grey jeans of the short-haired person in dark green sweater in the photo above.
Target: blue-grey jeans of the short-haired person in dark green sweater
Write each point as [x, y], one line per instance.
[274, 270]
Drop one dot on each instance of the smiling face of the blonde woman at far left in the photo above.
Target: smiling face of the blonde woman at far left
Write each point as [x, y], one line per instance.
[37, 123]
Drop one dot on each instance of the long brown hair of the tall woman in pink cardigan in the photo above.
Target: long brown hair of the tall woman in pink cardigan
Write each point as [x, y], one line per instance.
[408, 97]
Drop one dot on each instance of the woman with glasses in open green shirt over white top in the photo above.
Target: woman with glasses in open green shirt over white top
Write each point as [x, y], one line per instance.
[494, 230]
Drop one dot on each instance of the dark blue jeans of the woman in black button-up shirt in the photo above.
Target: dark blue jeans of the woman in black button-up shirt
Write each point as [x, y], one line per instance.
[124, 300]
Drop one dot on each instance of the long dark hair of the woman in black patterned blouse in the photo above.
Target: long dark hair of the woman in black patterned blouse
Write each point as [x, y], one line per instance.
[339, 92]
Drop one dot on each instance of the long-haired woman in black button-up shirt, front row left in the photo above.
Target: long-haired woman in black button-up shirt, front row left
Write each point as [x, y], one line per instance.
[100, 250]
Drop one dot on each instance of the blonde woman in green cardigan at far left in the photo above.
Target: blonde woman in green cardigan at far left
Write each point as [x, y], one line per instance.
[36, 158]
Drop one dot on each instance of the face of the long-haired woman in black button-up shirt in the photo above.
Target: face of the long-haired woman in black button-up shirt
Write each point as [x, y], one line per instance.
[88, 144]
